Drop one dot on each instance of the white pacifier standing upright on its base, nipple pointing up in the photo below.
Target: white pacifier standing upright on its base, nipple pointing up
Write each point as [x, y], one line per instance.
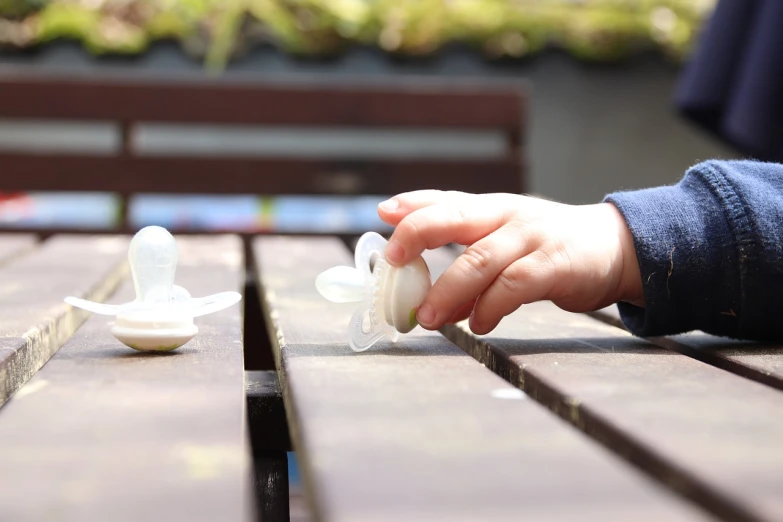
[161, 316]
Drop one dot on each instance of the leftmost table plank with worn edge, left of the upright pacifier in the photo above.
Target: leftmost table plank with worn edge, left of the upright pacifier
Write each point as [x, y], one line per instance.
[35, 320]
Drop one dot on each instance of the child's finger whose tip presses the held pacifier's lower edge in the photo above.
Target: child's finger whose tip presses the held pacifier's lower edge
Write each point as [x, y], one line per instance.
[472, 273]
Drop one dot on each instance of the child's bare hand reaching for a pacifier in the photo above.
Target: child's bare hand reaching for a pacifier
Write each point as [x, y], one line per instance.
[520, 250]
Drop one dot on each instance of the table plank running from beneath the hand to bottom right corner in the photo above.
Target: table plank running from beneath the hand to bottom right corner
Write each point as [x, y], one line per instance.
[713, 436]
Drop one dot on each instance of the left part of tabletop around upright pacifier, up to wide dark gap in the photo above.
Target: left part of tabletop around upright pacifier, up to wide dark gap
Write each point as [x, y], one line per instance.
[105, 433]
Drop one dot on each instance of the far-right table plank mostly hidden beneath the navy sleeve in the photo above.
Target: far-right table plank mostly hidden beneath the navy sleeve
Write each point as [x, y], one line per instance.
[760, 362]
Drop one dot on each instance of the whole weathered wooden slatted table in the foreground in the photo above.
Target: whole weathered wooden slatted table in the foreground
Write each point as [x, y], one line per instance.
[553, 416]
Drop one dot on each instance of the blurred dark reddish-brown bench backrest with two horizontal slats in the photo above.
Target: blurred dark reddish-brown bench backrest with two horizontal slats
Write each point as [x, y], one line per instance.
[129, 101]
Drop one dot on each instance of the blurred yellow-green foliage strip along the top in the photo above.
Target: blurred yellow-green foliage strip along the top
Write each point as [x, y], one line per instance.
[218, 30]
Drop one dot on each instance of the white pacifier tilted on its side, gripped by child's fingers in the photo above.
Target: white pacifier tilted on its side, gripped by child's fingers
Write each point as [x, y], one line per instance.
[389, 296]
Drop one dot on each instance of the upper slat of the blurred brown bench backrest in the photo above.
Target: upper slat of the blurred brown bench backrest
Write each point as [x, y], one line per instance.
[133, 99]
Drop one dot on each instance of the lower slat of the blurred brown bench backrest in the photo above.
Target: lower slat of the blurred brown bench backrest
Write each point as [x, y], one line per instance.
[254, 176]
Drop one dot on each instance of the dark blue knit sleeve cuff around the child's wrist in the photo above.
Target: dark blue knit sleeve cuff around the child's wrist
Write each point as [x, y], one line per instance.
[687, 257]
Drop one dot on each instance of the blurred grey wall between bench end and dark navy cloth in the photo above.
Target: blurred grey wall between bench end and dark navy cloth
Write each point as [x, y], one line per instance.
[600, 129]
